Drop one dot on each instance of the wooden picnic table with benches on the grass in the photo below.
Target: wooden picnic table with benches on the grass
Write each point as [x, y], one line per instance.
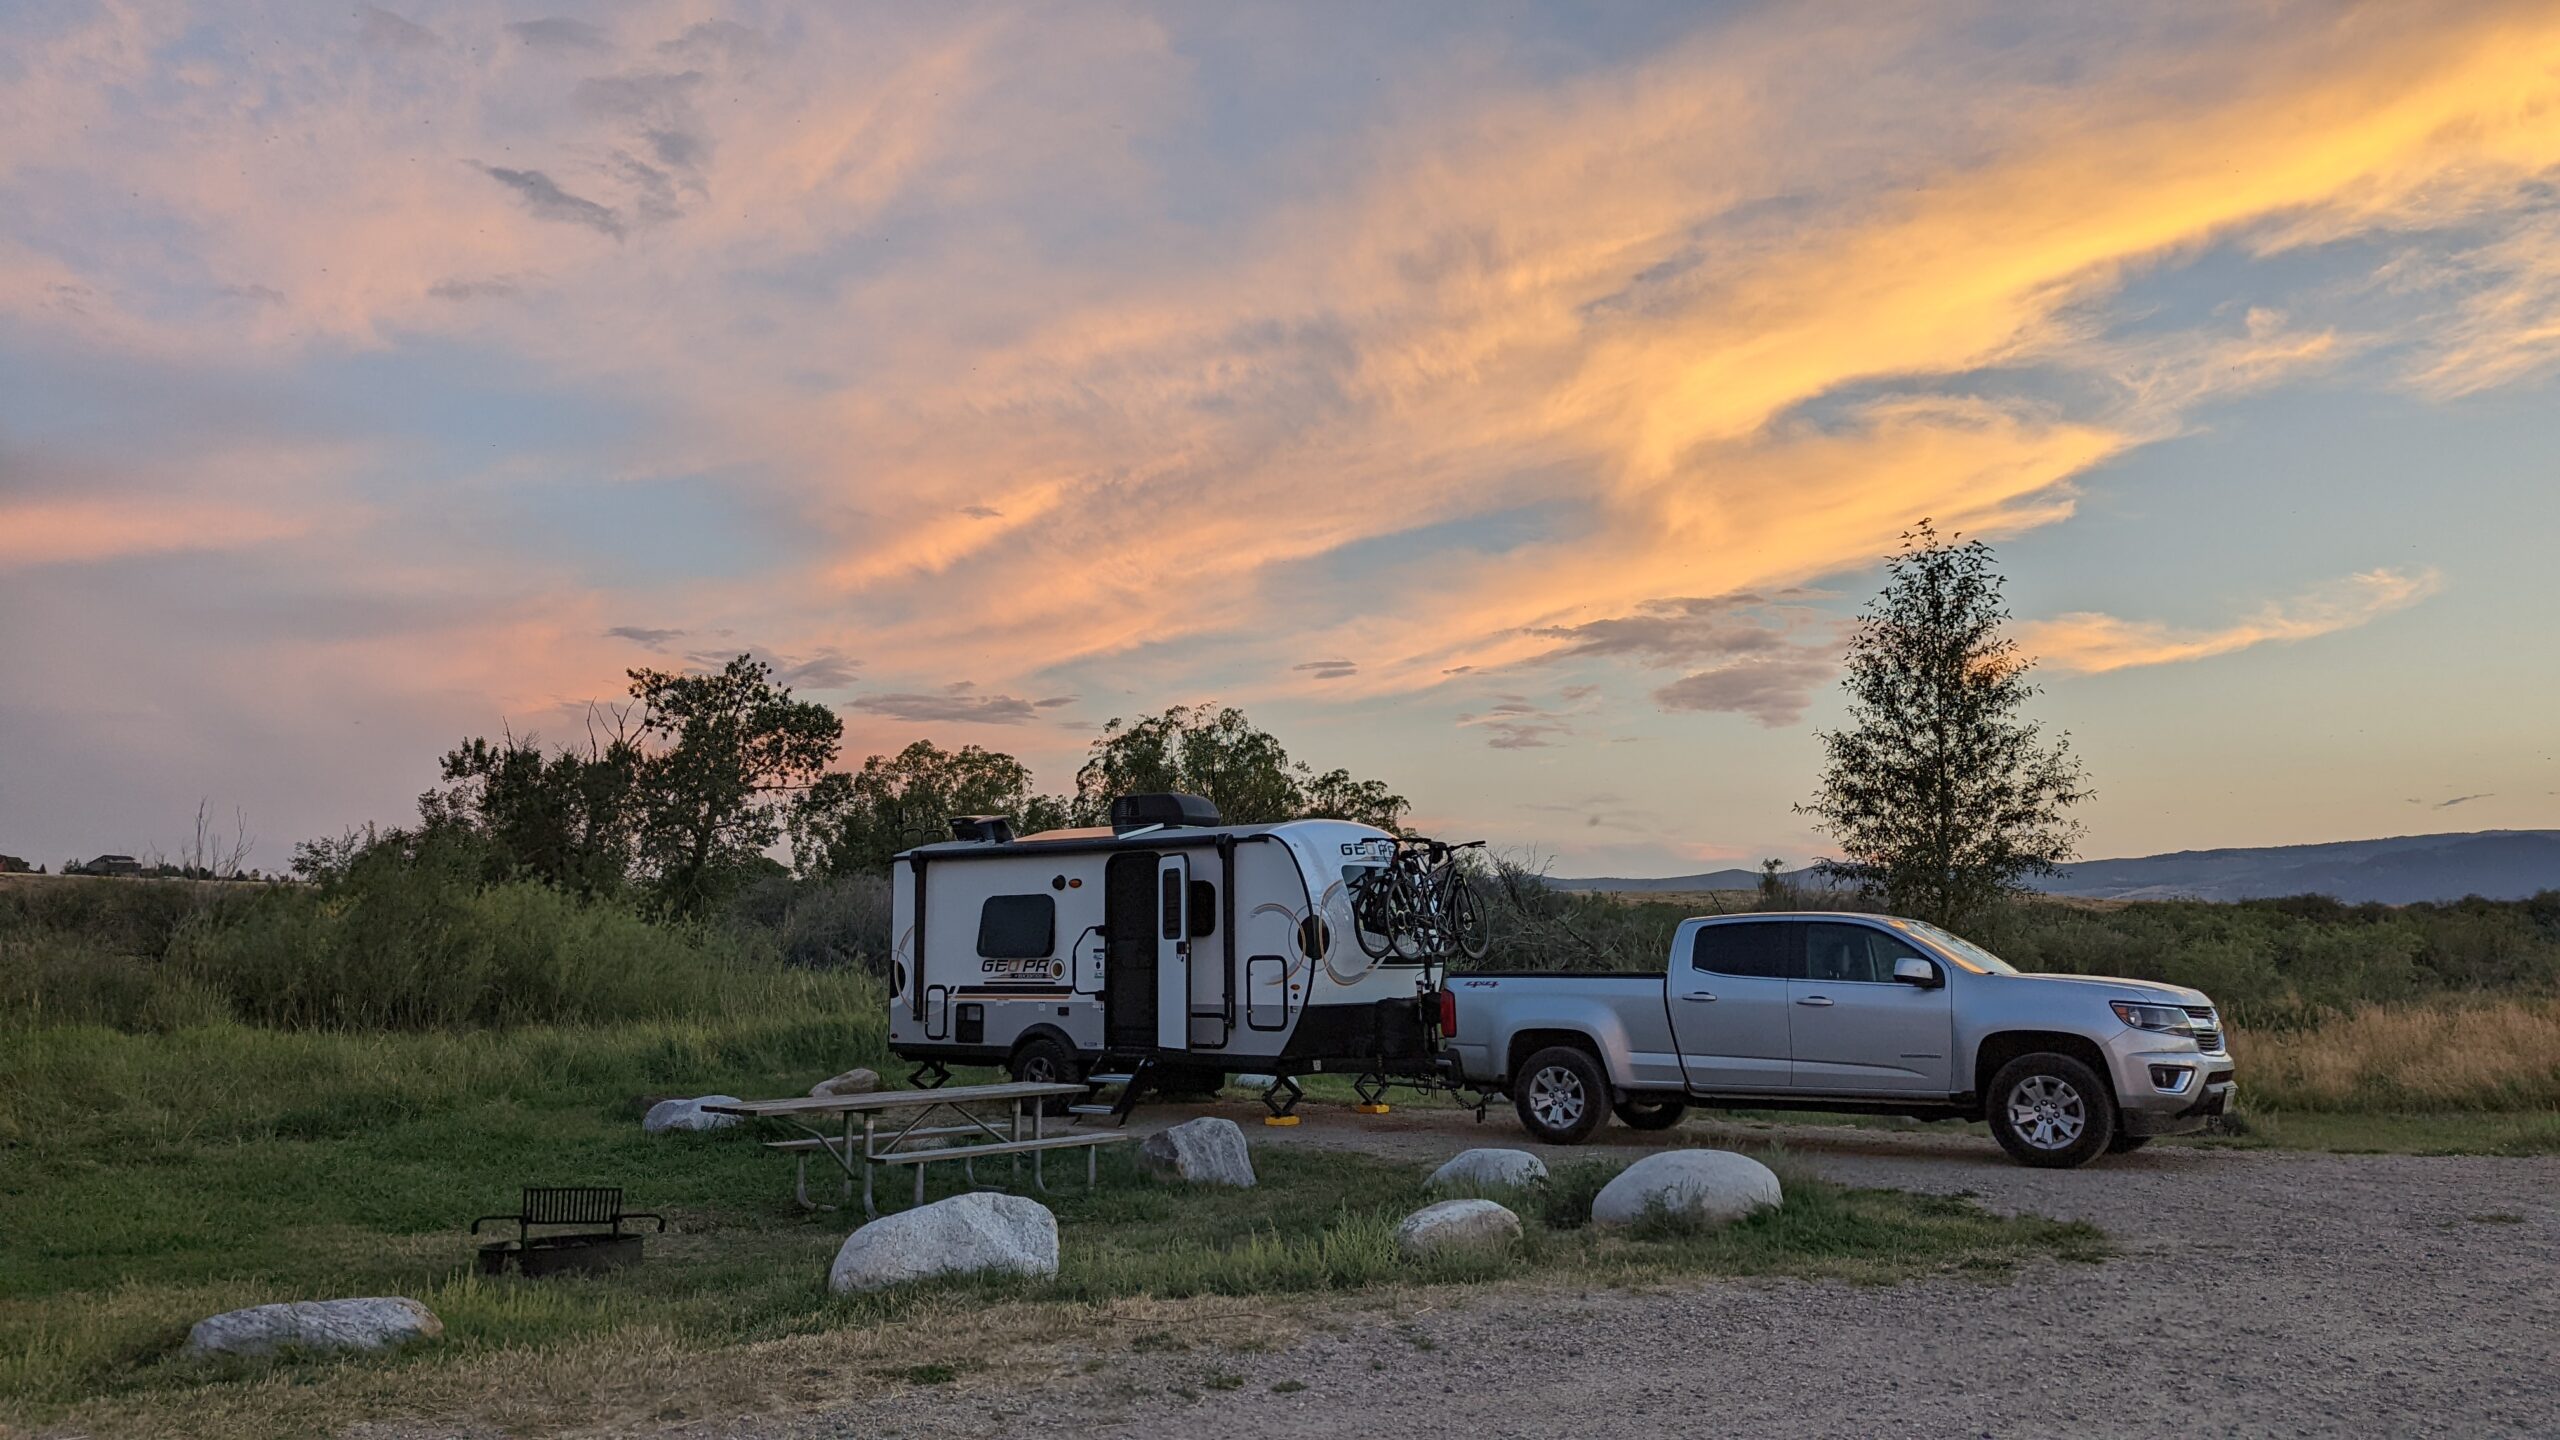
[951, 1124]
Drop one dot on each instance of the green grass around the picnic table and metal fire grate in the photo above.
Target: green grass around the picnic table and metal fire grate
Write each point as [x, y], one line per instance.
[155, 1180]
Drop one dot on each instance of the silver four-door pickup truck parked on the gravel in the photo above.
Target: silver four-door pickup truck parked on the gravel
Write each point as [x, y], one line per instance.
[1865, 1013]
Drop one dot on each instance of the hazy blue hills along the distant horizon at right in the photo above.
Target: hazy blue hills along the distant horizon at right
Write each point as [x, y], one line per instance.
[2500, 865]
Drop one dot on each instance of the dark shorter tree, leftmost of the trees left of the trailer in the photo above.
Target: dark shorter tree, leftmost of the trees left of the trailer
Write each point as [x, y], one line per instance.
[567, 819]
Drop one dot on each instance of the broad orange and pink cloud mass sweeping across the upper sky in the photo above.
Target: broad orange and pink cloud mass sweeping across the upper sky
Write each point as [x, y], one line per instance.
[1711, 319]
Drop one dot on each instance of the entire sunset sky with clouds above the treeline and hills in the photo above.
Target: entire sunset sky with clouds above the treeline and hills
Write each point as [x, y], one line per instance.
[1509, 404]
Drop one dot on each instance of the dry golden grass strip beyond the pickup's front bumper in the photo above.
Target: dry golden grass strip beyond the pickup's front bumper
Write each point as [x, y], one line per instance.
[2418, 1057]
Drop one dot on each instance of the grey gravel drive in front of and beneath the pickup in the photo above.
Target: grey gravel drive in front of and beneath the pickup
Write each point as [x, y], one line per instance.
[2257, 1293]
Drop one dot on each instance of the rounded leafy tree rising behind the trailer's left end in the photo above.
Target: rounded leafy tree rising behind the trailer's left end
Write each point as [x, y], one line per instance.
[854, 824]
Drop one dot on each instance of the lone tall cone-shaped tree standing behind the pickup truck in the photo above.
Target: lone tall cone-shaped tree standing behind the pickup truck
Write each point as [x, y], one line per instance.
[1939, 793]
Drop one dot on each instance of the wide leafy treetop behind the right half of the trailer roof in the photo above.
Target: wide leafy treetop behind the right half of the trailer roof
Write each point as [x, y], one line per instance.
[1228, 760]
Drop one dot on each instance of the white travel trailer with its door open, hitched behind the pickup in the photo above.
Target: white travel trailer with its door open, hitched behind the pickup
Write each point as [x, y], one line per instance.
[1169, 944]
